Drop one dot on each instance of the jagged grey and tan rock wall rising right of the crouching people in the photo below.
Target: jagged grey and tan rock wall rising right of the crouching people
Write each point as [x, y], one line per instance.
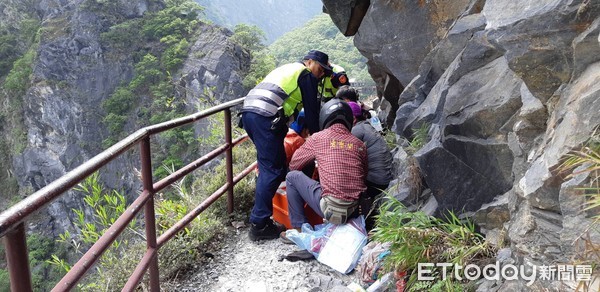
[507, 88]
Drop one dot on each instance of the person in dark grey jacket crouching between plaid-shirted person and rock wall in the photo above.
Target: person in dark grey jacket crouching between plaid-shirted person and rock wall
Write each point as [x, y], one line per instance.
[380, 162]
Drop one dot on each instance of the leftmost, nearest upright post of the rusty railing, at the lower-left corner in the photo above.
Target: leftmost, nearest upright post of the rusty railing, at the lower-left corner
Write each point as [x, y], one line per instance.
[18, 261]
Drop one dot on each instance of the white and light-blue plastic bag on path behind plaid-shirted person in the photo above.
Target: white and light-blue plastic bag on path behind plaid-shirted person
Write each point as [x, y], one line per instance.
[337, 246]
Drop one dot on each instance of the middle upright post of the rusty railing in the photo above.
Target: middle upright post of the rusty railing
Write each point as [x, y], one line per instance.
[149, 212]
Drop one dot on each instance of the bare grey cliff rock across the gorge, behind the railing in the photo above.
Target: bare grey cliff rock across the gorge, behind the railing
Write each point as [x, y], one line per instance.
[74, 72]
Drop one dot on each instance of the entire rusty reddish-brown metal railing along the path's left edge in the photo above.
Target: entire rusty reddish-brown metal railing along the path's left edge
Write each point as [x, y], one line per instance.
[12, 221]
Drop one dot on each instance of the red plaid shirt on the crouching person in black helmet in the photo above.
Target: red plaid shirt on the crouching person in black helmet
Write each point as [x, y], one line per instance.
[342, 161]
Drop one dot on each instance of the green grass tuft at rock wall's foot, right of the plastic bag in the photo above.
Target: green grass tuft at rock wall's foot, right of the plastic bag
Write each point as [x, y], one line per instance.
[418, 238]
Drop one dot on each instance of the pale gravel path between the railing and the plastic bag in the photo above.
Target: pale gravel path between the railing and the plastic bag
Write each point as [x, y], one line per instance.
[238, 264]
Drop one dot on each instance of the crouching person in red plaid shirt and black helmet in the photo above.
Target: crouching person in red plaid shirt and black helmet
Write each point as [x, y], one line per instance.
[342, 162]
